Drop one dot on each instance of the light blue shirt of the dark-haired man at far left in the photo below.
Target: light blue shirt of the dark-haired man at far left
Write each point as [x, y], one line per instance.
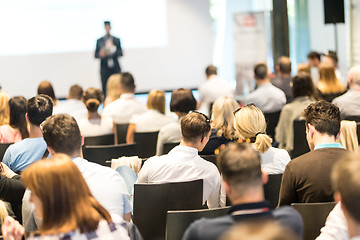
[21, 154]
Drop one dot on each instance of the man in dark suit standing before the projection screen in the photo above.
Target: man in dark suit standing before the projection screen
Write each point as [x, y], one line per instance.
[108, 49]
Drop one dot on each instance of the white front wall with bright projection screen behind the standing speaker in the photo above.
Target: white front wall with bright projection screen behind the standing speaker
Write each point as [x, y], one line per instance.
[166, 43]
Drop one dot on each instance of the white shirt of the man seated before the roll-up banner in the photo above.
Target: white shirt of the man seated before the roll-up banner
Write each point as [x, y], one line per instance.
[267, 98]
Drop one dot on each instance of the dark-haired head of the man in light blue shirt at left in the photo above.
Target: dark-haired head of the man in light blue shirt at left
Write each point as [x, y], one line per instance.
[39, 108]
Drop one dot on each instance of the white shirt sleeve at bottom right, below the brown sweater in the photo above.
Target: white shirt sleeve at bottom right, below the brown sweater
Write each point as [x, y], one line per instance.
[335, 226]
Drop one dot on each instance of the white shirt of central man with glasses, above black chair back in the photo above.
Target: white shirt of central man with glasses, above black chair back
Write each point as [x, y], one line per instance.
[180, 165]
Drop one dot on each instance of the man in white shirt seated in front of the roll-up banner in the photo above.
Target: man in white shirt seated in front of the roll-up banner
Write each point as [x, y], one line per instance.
[266, 96]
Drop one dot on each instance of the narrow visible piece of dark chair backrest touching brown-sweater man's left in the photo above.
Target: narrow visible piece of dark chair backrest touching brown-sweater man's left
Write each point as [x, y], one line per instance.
[272, 189]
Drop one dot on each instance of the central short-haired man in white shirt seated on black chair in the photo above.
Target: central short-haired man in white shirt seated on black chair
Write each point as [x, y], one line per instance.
[183, 163]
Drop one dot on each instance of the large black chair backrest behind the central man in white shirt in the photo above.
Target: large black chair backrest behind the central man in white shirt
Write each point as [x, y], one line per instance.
[152, 201]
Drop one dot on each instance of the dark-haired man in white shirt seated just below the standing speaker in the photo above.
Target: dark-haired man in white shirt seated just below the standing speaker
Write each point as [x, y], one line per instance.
[126, 106]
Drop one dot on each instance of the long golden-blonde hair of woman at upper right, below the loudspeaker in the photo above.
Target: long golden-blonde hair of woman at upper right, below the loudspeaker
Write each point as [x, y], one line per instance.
[328, 82]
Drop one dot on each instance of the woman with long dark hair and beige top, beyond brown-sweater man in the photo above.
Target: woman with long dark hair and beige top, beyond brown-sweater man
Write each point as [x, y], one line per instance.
[304, 93]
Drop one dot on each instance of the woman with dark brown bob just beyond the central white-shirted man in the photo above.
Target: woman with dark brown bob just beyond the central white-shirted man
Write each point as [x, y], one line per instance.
[182, 101]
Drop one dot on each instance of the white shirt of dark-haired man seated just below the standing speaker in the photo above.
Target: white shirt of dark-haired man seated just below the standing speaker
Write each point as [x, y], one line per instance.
[122, 109]
